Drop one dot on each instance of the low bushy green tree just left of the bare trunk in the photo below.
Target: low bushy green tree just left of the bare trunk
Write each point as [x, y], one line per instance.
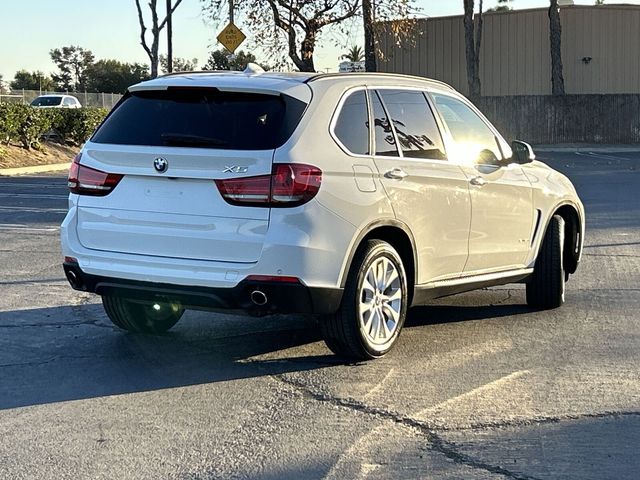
[112, 76]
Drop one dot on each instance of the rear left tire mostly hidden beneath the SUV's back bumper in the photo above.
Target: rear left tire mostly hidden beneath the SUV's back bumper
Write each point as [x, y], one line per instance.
[141, 317]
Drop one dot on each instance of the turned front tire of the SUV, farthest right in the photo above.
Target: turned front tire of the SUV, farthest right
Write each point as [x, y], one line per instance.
[545, 288]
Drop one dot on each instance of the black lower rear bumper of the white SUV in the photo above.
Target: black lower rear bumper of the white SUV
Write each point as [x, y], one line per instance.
[281, 297]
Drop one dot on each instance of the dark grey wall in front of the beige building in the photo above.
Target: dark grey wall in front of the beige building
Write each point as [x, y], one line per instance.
[547, 119]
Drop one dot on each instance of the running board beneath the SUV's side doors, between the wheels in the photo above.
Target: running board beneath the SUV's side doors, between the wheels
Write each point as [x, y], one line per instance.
[423, 293]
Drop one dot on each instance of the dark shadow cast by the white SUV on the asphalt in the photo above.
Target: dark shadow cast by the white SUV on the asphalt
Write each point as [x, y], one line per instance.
[73, 352]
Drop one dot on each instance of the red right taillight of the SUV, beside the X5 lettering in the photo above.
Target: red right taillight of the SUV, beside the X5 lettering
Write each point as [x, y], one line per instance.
[289, 185]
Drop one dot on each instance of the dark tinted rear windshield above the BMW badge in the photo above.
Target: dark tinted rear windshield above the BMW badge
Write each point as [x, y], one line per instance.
[205, 118]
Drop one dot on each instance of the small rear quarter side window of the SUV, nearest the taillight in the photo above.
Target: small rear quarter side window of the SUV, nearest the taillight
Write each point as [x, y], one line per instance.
[352, 126]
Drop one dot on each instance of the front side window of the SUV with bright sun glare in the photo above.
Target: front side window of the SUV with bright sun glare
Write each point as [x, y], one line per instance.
[472, 135]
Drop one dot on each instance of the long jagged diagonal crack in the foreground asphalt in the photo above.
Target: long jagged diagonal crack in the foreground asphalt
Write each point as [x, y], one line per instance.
[436, 443]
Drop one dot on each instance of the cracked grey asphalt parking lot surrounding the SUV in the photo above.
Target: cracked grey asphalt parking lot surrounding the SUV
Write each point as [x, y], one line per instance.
[479, 386]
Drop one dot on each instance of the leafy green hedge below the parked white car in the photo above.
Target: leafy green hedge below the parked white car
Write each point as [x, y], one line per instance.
[28, 124]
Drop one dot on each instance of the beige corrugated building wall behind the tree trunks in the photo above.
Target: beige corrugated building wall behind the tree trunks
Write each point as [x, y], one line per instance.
[515, 59]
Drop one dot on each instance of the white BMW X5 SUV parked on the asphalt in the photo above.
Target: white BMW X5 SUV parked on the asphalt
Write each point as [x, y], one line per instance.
[352, 196]
